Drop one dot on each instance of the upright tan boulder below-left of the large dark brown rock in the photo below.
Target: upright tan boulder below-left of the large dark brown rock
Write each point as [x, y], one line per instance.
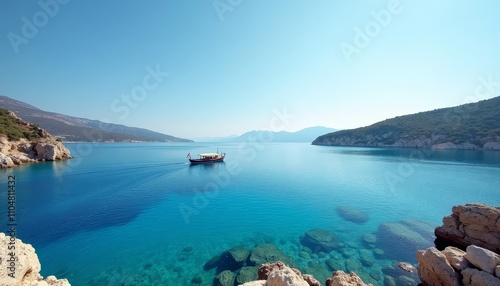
[434, 269]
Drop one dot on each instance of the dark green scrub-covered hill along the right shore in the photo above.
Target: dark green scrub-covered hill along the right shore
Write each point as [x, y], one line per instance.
[473, 126]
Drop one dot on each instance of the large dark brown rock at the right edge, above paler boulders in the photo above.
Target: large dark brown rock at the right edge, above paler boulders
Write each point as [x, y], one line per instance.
[469, 224]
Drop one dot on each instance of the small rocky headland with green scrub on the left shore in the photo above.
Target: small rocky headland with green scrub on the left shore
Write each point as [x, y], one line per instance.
[22, 142]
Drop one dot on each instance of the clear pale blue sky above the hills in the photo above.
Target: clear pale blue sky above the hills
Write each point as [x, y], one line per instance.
[216, 68]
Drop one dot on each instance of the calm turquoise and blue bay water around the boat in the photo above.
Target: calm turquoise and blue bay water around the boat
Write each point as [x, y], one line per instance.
[126, 214]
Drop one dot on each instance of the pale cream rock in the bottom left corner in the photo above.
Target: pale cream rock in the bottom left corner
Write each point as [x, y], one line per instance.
[27, 267]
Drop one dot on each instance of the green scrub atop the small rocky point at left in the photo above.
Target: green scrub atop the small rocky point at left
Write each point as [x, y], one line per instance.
[15, 129]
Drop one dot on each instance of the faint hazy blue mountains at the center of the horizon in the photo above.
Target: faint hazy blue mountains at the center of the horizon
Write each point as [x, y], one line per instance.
[304, 135]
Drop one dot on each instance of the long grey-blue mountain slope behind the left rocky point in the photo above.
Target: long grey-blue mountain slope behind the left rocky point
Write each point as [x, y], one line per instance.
[70, 128]
